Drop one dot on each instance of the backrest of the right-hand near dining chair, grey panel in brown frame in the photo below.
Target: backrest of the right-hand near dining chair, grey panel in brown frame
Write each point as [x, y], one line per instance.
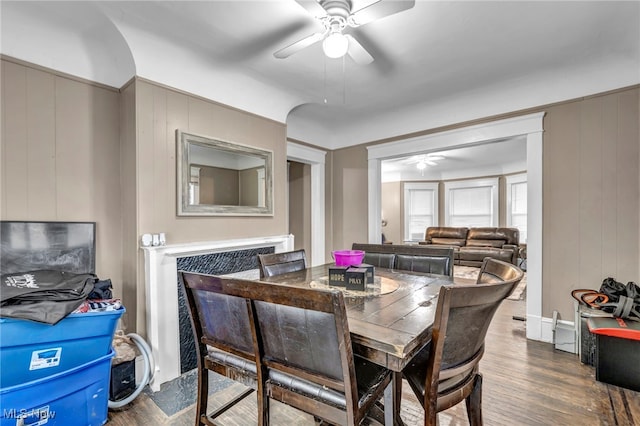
[305, 336]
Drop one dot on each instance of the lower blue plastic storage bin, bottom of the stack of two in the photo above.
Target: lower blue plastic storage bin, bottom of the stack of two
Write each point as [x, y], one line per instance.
[76, 397]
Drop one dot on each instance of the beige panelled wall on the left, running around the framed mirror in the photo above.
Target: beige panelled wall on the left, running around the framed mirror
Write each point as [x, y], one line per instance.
[76, 151]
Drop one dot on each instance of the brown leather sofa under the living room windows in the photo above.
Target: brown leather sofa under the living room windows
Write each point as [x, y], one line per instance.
[472, 245]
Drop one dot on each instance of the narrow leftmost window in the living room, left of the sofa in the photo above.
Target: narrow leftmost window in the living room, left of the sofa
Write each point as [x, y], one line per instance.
[420, 209]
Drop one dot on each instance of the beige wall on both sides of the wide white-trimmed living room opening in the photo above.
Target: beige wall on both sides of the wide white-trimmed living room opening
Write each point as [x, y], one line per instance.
[591, 186]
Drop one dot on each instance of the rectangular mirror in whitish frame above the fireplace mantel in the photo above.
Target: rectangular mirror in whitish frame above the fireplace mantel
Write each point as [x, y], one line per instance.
[217, 177]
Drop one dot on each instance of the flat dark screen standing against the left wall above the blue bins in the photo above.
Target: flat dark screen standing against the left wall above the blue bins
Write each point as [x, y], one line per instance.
[65, 246]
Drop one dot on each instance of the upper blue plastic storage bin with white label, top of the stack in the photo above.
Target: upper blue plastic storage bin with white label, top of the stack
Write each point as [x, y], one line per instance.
[31, 350]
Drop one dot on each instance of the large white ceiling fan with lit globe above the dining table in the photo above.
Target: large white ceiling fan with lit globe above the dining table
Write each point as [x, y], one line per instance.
[335, 16]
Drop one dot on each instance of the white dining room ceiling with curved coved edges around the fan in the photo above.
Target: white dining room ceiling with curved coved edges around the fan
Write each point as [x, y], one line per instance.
[435, 64]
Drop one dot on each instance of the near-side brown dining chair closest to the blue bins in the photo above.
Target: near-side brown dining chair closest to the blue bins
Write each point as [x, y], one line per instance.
[222, 326]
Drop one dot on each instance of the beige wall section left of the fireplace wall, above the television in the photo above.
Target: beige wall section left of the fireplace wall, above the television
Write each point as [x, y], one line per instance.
[61, 156]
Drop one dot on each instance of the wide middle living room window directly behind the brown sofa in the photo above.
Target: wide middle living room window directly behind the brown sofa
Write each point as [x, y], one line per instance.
[471, 203]
